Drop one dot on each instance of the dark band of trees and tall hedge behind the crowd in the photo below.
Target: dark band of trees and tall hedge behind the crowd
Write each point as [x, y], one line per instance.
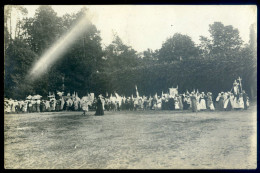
[87, 67]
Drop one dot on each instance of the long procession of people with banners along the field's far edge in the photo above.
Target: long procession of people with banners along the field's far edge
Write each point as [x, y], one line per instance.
[196, 101]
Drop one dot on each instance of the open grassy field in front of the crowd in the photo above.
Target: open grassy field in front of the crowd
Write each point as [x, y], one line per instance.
[131, 140]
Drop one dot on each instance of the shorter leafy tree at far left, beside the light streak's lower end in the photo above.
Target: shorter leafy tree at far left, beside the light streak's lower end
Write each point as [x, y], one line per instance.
[18, 59]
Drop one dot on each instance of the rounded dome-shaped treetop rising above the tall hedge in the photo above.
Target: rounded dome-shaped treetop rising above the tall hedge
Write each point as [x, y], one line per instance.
[178, 47]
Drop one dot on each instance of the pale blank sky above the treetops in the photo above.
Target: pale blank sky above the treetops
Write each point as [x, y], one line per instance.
[148, 26]
